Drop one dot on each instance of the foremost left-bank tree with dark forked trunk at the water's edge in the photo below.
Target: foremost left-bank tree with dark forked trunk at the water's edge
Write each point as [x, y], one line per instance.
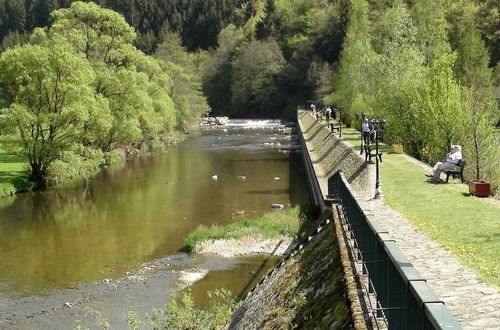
[49, 98]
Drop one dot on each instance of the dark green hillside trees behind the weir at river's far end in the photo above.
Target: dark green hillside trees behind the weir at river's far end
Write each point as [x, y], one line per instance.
[309, 34]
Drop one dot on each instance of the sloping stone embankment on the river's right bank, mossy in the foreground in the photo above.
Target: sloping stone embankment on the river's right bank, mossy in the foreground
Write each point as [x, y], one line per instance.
[318, 270]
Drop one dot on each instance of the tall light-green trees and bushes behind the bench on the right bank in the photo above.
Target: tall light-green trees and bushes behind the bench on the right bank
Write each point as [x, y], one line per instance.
[398, 64]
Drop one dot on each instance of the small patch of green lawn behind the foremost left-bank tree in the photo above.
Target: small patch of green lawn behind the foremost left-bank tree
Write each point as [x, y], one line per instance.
[12, 174]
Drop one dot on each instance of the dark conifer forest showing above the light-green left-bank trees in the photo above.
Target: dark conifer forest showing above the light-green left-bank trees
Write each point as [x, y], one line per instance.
[198, 22]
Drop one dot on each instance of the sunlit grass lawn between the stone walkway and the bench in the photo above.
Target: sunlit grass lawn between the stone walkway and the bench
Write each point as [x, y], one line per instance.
[468, 227]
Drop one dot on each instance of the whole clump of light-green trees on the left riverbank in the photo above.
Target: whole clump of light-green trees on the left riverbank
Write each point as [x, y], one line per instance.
[80, 90]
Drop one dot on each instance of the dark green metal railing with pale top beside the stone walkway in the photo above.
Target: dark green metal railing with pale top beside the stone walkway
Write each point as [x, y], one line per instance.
[403, 298]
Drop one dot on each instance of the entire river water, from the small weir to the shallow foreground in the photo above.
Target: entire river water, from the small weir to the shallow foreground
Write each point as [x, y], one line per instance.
[59, 245]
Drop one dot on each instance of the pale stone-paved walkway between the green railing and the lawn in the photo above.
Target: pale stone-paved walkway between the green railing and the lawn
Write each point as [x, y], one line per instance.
[476, 305]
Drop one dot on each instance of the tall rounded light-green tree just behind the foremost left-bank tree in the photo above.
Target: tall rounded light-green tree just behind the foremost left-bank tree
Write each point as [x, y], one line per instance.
[137, 107]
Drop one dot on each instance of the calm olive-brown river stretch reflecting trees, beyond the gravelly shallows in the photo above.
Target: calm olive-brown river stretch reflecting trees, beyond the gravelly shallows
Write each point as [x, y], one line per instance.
[142, 210]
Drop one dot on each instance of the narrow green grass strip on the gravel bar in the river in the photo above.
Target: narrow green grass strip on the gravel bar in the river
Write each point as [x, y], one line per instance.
[287, 222]
